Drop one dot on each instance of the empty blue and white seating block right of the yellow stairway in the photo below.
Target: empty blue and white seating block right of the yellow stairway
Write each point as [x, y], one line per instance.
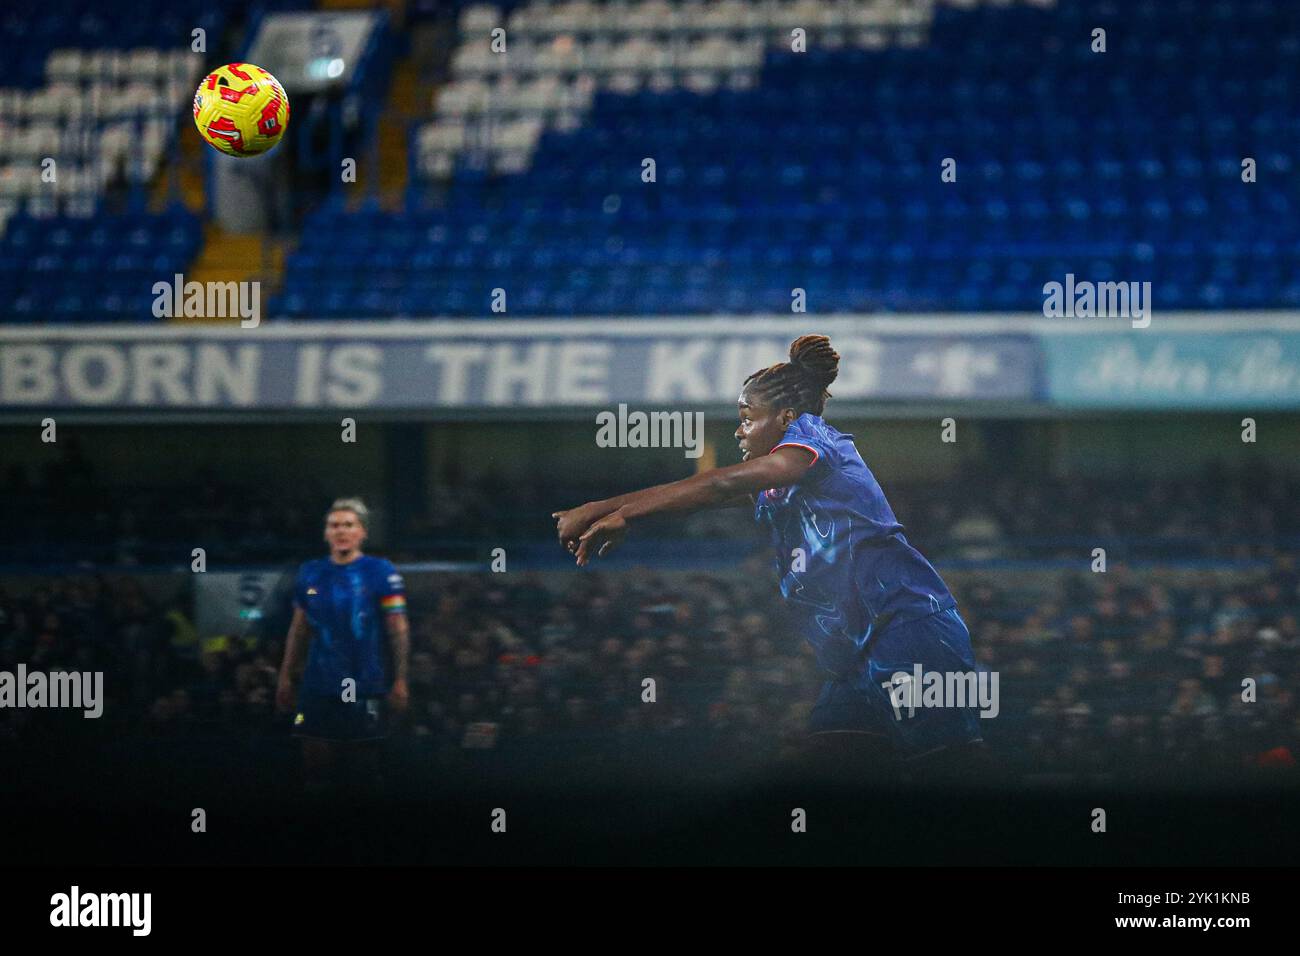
[778, 170]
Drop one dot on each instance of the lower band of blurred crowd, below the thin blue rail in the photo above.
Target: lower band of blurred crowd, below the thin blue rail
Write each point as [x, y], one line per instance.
[1154, 668]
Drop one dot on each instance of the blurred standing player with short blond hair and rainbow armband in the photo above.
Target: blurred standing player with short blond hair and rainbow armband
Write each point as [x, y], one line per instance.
[350, 609]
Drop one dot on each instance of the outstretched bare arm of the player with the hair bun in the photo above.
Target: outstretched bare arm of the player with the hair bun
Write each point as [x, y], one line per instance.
[717, 488]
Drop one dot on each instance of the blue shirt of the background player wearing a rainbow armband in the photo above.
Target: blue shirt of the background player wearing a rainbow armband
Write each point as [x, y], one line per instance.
[346, 605]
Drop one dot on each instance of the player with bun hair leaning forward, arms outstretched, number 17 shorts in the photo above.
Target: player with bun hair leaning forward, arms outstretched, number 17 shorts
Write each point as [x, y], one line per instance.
[869, 603]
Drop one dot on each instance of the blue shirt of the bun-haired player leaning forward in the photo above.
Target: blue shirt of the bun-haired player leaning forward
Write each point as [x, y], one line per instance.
[842, 555]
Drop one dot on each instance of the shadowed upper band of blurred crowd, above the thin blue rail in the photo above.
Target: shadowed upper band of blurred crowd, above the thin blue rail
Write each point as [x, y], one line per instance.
[63, 514]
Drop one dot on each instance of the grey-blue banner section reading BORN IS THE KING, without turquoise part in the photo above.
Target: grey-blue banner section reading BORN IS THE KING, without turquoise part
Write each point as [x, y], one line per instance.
[411, 366]
